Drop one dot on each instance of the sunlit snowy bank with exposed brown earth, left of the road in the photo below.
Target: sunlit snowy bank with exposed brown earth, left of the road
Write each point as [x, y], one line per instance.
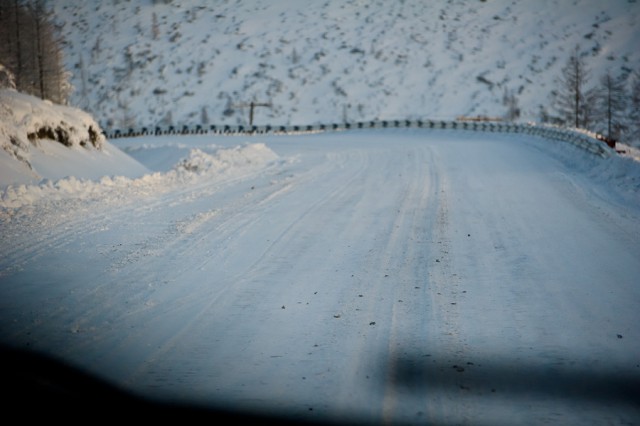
[39, 140]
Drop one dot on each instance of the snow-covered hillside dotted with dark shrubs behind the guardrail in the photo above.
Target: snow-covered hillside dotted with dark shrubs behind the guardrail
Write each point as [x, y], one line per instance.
[146, 63]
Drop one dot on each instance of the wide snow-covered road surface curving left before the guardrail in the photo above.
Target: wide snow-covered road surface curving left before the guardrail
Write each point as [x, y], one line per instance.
[401, 276]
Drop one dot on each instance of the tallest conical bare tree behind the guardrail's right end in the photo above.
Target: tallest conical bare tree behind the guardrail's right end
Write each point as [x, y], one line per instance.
[573, 101]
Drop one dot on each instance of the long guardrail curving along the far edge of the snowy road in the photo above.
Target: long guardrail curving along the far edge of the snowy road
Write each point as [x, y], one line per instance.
[589, 141]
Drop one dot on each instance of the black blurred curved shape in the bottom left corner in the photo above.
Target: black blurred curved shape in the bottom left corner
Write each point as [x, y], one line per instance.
[40, 388]
